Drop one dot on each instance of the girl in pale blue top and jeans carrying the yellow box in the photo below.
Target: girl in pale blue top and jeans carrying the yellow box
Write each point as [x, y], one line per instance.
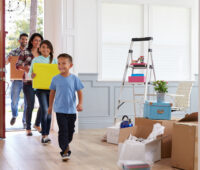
[46, 51]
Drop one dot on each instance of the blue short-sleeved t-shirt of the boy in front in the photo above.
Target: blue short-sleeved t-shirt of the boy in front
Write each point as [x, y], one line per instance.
[65, 98]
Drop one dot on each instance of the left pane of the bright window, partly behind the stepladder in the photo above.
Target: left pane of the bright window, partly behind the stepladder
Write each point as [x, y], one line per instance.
[120, 22]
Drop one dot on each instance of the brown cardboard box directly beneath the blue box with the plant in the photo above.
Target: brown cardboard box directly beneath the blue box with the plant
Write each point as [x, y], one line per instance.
[166, 142]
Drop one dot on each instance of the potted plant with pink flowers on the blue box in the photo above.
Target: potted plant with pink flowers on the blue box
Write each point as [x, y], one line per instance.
[161, 88]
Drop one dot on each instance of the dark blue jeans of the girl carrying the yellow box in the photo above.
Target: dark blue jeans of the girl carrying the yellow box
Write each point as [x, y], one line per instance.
[43, 97]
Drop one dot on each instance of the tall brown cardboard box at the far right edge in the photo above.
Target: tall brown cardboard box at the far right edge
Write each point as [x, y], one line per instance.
[185, 146]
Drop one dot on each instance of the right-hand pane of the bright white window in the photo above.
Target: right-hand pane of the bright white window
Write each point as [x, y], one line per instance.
[170, 28]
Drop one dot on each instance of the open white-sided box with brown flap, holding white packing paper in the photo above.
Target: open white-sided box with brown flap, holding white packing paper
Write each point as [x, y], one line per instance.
[147, 152]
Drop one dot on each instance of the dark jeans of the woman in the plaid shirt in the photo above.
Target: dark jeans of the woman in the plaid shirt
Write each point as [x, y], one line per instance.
[30, 98]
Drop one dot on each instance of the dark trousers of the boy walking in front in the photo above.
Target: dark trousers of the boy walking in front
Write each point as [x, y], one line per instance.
[66, 125]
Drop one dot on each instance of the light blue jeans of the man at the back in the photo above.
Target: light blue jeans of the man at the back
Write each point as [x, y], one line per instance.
[16, 88]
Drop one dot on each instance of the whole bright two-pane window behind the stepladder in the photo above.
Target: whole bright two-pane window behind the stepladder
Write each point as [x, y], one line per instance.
[169, 26]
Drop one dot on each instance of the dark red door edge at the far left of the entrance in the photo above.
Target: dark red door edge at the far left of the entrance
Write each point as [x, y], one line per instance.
[2, 69]
